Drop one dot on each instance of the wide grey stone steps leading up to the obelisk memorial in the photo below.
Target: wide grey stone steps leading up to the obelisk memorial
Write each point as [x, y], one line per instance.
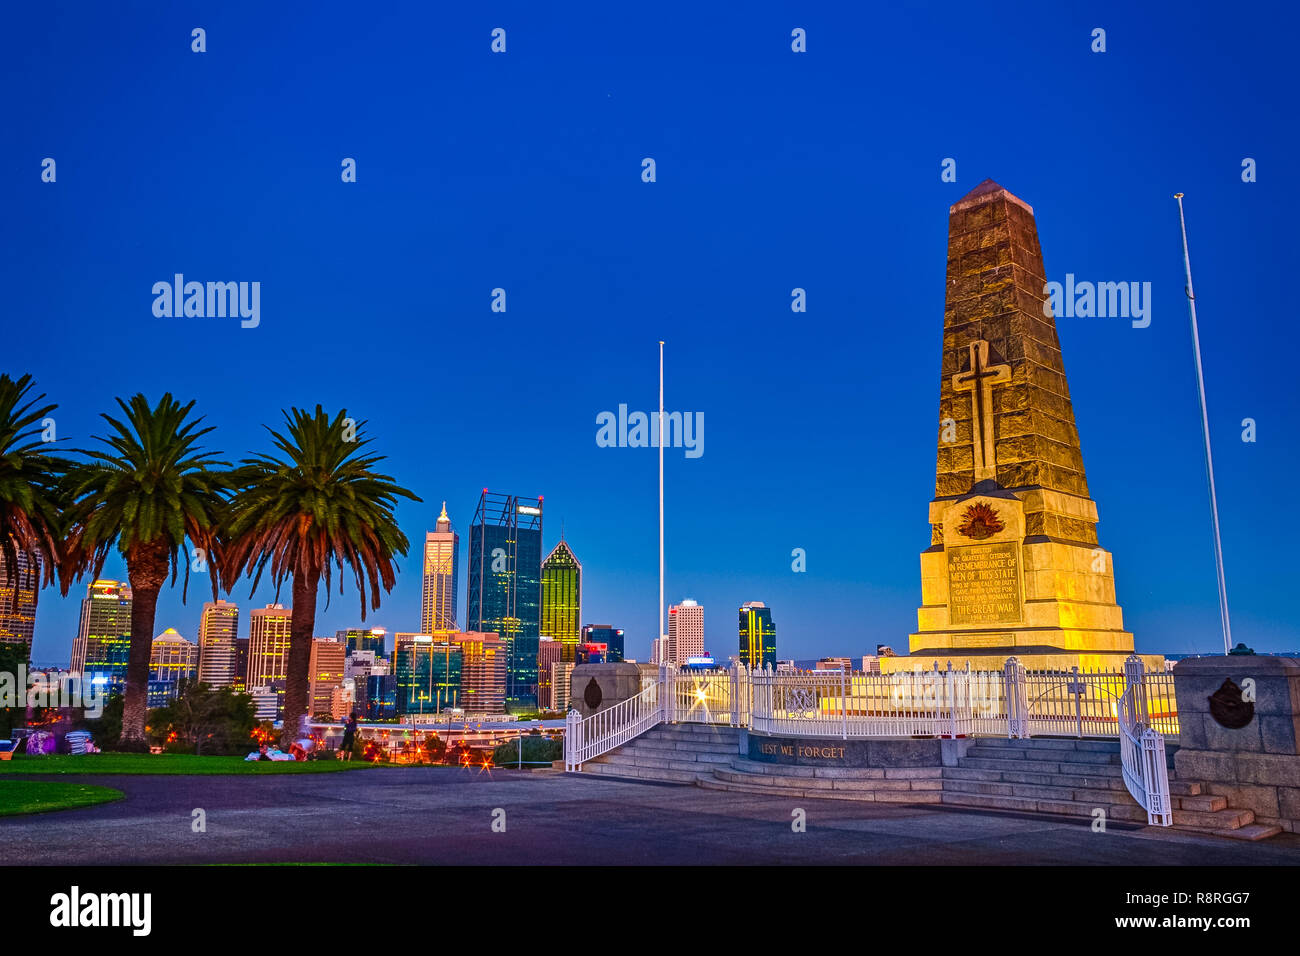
[1060, 777]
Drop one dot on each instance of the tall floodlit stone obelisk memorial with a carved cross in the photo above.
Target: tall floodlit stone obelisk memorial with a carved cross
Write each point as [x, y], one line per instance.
[1013, 566]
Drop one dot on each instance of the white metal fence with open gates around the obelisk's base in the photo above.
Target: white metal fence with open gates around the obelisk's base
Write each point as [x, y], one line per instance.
[1134, 706]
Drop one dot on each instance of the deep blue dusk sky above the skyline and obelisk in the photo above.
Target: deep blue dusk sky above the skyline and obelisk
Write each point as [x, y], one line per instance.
[775, 171]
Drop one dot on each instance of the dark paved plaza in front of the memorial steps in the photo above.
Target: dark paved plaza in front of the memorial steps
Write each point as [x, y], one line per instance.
[445, 816]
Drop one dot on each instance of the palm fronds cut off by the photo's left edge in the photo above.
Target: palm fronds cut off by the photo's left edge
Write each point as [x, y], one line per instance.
[31, 499]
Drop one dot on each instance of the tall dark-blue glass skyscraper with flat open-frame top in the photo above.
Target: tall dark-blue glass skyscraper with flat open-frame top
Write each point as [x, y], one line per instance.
[506, 586]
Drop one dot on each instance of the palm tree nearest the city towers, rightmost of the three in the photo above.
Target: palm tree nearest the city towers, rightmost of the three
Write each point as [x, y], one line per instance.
[317, 508]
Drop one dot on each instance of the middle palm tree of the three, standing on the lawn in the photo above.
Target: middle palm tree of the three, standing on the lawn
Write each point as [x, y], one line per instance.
[149, 494]
